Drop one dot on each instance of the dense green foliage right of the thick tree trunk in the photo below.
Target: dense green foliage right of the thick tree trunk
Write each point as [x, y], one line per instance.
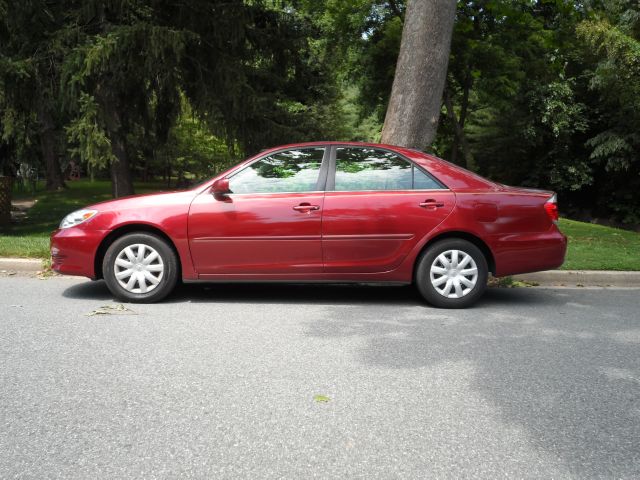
[541, 109]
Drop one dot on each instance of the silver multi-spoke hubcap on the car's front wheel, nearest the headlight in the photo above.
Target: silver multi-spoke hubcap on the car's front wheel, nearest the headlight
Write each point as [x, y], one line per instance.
[139, 268]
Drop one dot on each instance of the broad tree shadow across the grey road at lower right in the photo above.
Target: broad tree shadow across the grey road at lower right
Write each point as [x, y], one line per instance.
[566, 372]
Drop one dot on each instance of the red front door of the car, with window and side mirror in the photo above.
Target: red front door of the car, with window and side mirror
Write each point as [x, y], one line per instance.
[270, 223]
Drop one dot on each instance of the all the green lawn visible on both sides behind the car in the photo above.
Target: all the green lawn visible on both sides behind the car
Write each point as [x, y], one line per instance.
[591, 247]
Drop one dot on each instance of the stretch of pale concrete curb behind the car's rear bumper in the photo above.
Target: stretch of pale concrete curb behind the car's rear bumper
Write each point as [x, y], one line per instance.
[587, 278]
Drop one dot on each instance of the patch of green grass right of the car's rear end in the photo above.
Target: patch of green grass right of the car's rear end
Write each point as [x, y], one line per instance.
[594, 247]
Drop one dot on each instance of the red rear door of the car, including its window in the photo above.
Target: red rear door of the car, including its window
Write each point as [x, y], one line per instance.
[378, 205]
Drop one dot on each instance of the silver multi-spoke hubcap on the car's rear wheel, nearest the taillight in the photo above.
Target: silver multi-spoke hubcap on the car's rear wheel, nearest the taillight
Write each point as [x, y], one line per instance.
[454, 274]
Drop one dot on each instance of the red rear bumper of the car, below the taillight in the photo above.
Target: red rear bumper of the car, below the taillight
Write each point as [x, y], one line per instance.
[530, 252]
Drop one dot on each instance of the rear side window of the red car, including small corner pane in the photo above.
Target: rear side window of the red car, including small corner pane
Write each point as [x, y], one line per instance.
[372, 169]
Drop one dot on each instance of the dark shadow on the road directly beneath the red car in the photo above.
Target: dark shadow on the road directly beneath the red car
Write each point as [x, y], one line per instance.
[283, 293]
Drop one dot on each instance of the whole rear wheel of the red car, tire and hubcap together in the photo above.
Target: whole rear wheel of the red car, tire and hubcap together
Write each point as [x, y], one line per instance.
[452, 273]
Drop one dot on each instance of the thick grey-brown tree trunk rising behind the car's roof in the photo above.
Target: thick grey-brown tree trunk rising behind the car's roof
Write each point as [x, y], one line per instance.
[416, 96]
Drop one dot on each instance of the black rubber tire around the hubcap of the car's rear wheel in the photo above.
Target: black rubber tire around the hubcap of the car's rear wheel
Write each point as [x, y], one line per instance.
[423, 274]
